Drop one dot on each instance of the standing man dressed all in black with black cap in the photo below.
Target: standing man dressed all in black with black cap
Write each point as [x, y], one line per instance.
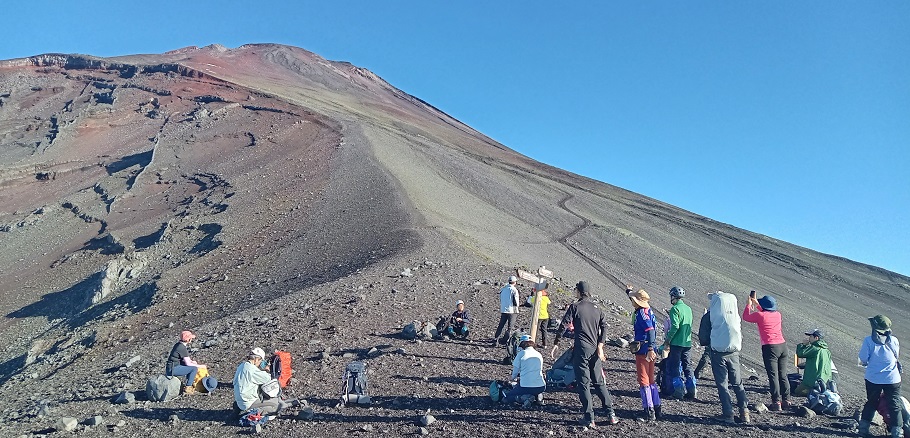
[590, 328]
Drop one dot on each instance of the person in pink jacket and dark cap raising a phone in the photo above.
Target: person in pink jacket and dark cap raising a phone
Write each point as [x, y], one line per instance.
[763, 313]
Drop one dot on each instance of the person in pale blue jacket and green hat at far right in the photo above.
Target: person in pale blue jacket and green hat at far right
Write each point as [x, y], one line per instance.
[879, 354]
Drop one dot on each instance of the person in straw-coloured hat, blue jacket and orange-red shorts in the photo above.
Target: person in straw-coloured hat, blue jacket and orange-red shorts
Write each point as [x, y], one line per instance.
[645, 327]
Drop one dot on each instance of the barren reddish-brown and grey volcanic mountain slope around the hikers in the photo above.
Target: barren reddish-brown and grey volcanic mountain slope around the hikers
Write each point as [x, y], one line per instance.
[264, 195]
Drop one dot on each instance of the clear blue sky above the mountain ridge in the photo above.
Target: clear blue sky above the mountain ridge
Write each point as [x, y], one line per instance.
[790, 119]
